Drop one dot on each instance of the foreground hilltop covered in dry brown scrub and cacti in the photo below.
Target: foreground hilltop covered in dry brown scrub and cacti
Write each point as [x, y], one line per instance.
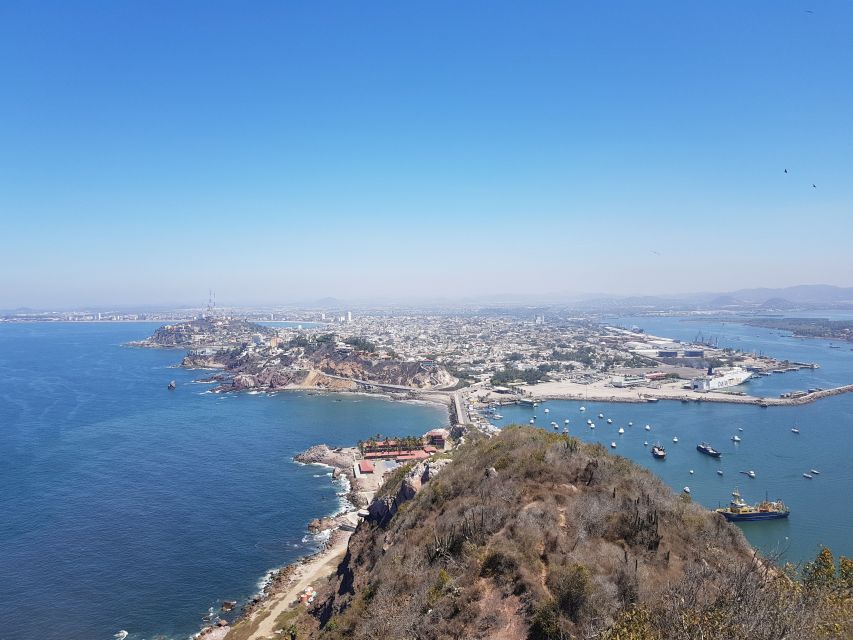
[535, 535]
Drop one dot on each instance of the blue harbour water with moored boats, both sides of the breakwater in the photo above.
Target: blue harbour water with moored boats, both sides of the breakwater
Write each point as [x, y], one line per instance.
[821, 508]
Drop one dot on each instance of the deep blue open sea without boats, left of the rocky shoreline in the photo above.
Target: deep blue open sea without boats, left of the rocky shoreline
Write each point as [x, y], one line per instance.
[126, 506]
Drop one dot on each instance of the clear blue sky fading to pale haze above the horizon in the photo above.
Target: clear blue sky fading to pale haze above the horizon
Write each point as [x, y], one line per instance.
[279, 151]
